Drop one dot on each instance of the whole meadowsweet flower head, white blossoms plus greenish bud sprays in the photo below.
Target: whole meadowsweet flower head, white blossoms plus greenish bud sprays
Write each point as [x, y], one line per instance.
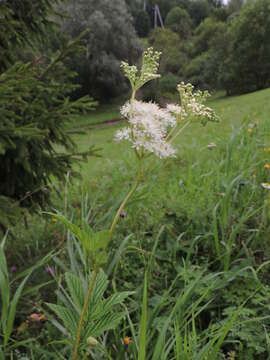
[152, 129]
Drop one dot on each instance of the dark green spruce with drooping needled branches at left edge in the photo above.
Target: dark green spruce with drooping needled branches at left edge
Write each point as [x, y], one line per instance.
[35, 108]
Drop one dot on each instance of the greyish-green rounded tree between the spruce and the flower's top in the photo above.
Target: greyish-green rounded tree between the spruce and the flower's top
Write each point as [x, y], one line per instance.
[111, 38]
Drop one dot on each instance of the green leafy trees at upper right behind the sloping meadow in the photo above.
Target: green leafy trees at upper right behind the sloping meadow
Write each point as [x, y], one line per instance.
[212, 45]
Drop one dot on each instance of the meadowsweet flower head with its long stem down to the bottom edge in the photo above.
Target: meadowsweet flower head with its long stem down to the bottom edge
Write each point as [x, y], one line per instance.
[151, 131]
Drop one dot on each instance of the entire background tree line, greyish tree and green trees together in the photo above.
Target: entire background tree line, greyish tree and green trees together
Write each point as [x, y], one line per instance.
[205, 42]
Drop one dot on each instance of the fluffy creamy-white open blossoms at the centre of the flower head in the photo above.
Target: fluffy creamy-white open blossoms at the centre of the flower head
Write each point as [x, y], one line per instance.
[148, 128]
